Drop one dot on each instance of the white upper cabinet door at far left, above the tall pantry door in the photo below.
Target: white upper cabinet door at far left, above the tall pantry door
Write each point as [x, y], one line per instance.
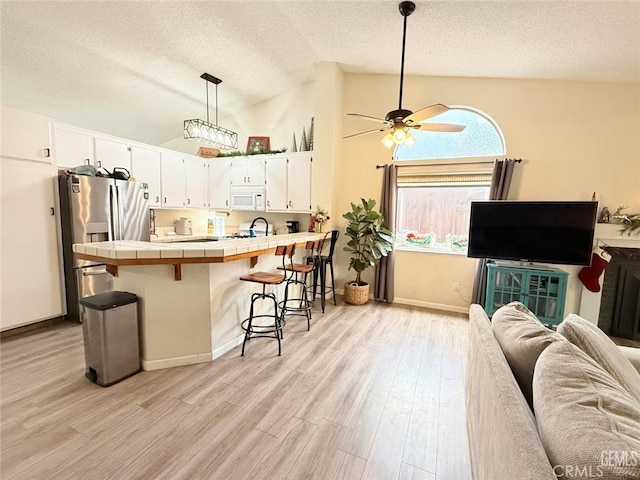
[26, 135]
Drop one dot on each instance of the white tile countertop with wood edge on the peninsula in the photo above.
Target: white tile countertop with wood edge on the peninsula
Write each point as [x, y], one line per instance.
[127, 251]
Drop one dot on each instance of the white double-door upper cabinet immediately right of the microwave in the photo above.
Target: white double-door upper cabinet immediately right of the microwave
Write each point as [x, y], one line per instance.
[289, 183]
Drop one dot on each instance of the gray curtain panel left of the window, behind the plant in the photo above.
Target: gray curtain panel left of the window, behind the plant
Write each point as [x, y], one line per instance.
[384, 288]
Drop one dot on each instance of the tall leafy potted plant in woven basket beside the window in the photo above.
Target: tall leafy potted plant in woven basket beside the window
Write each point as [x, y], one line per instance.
[369, 241]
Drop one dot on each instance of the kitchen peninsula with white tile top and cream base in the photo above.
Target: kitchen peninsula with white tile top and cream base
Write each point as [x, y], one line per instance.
[191, 301]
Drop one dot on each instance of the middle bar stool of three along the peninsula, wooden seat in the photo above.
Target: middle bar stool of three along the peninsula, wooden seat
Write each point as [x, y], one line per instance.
[301, 305]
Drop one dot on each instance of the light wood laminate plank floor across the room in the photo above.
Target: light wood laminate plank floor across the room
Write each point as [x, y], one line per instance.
[371, 392]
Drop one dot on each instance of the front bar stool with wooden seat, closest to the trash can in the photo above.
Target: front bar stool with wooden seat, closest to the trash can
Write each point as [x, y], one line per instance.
[267, 330]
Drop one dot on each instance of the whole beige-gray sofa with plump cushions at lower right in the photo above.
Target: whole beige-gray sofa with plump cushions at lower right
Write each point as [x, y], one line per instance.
[506, 439]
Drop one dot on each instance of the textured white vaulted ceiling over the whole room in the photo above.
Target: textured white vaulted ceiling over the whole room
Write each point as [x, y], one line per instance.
[132, 68]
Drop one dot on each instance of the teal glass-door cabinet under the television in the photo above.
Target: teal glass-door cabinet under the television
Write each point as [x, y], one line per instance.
[541, 289]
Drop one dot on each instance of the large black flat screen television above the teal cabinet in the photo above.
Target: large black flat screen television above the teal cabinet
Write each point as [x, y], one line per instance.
[544, 232]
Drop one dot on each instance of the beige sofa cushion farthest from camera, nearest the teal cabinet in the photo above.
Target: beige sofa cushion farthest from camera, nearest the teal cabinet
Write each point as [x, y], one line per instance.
[522, 338]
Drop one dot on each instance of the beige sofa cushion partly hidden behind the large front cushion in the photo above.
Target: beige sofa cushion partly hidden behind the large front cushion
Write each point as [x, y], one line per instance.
[595, 343]
